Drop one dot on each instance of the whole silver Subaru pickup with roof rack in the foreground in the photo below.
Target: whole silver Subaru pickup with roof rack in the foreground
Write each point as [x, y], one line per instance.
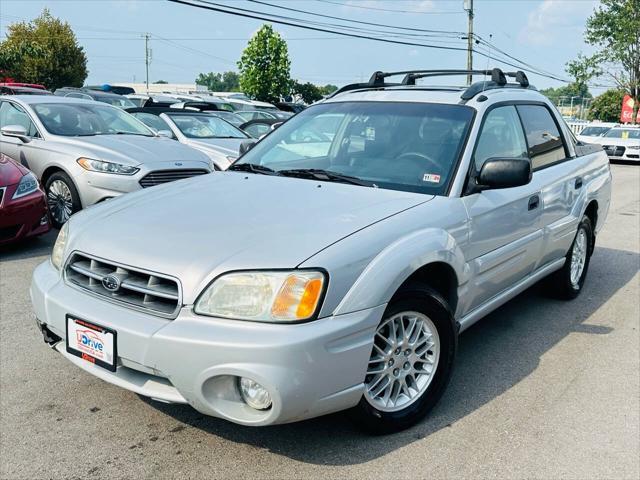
[332, 269]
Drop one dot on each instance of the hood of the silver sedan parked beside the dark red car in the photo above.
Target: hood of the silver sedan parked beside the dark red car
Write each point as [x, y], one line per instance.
[133, 150]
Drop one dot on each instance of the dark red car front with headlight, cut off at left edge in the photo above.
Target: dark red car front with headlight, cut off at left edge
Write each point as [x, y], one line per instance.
[23, 209]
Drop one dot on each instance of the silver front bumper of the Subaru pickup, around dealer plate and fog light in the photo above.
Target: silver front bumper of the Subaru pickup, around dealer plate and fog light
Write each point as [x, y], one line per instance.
[309, 369]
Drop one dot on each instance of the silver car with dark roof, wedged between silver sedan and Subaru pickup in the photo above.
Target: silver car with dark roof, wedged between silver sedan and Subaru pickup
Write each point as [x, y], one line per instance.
[210, 134]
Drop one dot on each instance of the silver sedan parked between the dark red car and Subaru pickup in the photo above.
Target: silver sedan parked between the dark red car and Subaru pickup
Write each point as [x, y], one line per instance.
[85, 152]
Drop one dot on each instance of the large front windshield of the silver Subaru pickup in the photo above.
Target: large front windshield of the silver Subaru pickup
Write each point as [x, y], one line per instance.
[401, 146]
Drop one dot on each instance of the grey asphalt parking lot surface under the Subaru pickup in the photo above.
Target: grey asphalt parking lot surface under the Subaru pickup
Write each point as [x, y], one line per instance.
[542, 389]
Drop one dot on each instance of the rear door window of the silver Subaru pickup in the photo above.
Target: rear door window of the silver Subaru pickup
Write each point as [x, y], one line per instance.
[544, 139]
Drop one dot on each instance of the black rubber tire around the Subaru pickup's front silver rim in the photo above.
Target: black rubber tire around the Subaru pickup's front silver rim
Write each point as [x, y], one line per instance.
[420, 298]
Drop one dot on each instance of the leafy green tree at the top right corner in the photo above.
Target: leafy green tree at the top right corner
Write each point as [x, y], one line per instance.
[614, 29]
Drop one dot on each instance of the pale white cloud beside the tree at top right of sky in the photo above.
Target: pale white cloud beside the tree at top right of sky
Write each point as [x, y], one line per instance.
[554, 18]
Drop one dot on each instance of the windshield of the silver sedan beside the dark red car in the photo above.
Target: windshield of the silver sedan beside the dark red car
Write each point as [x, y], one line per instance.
[80, 119]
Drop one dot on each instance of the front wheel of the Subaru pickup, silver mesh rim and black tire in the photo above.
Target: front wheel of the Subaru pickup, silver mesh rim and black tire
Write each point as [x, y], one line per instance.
[410, 363]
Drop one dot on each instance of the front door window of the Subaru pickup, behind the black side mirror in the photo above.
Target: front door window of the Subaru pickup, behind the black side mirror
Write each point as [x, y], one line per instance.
[501, 136]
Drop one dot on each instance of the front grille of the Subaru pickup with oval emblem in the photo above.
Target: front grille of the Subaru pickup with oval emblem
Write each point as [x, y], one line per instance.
[146, 291]
